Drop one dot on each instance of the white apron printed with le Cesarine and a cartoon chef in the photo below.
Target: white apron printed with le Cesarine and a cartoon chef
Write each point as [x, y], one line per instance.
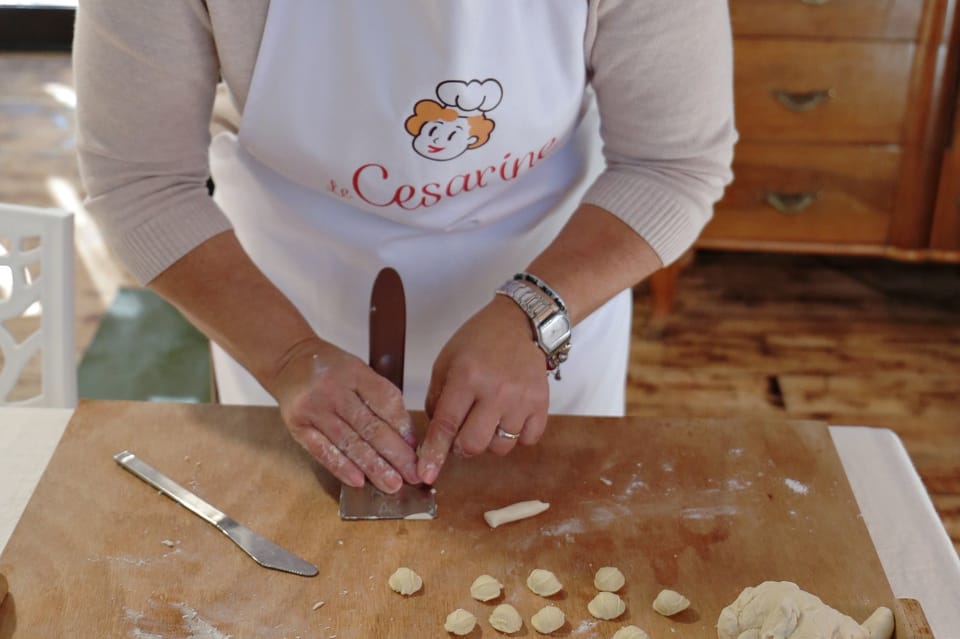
[441, 138]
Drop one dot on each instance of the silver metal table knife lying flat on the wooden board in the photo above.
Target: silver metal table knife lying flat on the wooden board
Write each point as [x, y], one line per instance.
[261, 550]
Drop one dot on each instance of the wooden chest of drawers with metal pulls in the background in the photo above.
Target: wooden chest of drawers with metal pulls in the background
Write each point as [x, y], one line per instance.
[846, 113]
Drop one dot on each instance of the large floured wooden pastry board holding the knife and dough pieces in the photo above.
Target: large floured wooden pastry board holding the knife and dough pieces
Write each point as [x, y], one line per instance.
[705, 508]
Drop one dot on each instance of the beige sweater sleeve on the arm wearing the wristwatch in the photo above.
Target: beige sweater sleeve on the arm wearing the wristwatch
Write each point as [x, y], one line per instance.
[662, 73]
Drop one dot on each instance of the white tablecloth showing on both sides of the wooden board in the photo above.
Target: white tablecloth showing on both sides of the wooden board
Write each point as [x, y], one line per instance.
[917, 556]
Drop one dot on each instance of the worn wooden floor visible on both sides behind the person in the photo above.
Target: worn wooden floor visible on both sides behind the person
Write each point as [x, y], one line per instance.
[849, 341]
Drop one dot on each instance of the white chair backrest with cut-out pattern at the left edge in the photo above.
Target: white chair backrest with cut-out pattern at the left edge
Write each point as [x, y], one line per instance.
[36, 273]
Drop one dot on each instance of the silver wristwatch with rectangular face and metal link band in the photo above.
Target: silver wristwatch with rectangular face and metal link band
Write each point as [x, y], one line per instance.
[548, 317]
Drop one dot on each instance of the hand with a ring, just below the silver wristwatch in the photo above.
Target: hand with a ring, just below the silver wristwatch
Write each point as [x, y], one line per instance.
[490, 378]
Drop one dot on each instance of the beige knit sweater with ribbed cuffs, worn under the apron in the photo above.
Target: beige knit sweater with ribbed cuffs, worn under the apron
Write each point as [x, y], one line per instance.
[147, 72]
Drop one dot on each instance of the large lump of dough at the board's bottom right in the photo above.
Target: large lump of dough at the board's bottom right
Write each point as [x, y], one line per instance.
[780, 610]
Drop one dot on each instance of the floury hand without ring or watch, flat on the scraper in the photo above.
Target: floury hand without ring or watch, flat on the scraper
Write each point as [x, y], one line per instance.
[351, 419]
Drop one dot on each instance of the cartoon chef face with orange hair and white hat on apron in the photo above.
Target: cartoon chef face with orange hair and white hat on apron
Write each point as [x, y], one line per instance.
[444, 129]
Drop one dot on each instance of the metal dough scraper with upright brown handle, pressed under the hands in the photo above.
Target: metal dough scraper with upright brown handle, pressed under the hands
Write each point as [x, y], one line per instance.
[388, 331]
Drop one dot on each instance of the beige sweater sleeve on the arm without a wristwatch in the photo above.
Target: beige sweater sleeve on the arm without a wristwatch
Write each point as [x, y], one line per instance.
[146, 74]
